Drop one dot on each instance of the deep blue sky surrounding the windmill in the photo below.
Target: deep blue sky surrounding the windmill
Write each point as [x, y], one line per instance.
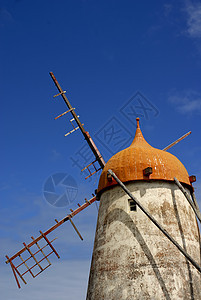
[108, 56]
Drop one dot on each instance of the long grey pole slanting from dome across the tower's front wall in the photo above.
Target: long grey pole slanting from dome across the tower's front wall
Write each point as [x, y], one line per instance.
[188, 257]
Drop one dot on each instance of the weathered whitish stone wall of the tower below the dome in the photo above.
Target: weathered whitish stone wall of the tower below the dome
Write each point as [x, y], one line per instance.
[132, 259]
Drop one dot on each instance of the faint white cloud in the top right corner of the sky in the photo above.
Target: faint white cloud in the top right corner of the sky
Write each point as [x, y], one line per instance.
[193, 11]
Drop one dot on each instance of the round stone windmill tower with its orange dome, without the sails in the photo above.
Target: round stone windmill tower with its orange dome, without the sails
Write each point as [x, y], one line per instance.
[132, 258]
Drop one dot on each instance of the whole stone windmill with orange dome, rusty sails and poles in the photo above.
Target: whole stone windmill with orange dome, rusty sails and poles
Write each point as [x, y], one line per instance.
[118, 191]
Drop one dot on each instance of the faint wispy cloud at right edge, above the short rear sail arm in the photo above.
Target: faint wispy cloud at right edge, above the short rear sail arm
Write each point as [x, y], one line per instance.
[186, 102]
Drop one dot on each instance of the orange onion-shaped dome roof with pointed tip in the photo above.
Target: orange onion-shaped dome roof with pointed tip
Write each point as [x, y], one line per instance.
[129, 164]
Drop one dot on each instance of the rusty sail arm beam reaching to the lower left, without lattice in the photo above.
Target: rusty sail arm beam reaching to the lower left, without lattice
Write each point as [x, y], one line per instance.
[75, 212]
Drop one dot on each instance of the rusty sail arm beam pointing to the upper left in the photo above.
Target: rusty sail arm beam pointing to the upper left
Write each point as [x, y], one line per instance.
[86, 134]
